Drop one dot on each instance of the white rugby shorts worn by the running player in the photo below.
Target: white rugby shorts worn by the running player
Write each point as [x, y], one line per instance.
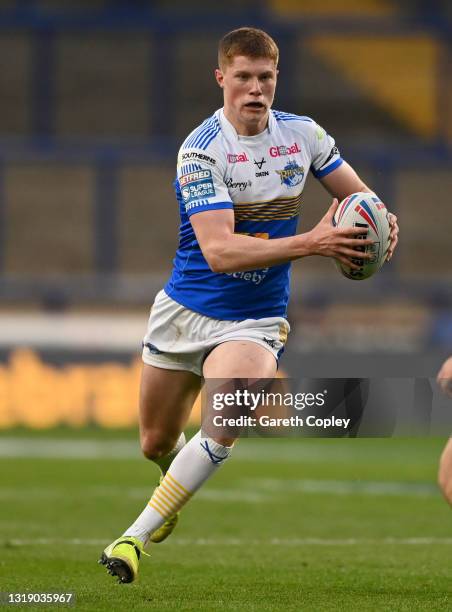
[180, 339]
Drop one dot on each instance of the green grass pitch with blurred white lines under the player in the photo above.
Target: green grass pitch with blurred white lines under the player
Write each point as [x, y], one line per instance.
[284, 525]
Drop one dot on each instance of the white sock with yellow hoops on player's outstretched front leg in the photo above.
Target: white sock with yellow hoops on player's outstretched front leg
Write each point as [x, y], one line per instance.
[192, 466]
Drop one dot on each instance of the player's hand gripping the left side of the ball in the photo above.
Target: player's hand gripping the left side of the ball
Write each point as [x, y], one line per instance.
[329, 241]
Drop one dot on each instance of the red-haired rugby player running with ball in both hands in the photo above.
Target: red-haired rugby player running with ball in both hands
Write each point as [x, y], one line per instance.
[222, 314]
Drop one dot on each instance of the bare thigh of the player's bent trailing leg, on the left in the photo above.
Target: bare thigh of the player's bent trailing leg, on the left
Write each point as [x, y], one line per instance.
[166, 400]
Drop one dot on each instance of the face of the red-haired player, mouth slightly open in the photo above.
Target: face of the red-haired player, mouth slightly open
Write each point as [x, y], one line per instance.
[249, 88]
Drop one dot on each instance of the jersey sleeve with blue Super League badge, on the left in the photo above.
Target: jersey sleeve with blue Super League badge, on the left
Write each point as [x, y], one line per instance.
[200, 177]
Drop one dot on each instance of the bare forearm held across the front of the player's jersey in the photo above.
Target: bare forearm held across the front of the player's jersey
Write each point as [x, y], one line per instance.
[239, 253]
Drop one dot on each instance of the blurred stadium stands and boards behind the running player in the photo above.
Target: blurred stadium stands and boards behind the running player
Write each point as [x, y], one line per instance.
[97, 96]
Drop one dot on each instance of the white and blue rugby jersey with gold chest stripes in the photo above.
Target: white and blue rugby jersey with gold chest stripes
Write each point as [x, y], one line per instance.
[261, 178]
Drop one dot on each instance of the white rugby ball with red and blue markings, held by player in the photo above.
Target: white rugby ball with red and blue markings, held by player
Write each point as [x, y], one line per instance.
[367, 211]
